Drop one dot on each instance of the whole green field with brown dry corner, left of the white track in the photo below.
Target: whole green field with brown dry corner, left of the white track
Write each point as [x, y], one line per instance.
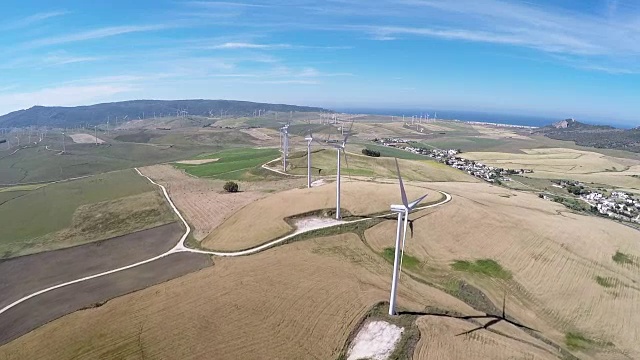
[78, 211]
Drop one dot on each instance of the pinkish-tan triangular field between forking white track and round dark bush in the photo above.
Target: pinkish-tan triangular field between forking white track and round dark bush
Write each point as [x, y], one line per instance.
[203, 202]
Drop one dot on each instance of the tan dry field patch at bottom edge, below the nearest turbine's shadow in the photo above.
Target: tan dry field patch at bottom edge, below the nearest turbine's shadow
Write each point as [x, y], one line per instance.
[437, 342]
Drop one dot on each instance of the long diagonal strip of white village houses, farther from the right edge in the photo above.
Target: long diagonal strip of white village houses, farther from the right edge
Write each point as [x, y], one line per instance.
[488, 173]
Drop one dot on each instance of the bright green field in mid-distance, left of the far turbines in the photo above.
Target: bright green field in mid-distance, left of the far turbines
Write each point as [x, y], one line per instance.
[232, 164]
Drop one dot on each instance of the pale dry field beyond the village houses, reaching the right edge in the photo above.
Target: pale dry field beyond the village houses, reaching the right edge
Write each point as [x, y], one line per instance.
[560, 163]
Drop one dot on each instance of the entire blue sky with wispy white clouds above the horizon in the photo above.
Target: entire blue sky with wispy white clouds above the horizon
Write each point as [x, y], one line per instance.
[565, 58]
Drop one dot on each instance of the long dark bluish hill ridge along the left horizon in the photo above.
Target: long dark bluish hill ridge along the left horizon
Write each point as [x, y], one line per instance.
[57, 116]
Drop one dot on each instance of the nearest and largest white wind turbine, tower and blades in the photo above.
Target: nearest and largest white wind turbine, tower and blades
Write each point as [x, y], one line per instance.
[403, 217]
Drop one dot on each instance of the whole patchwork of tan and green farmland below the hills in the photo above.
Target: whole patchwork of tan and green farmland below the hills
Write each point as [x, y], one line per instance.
[569, 276]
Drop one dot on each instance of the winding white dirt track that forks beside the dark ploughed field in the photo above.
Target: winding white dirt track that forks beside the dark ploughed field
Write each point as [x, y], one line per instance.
[180, 246]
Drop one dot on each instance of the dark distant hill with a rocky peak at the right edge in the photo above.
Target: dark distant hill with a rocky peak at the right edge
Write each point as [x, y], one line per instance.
[598, 136]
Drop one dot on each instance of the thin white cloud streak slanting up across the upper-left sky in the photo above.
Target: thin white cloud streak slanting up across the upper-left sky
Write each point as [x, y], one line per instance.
[94, 34]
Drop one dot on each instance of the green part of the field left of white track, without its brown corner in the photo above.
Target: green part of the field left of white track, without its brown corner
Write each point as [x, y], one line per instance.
[51, 208]
